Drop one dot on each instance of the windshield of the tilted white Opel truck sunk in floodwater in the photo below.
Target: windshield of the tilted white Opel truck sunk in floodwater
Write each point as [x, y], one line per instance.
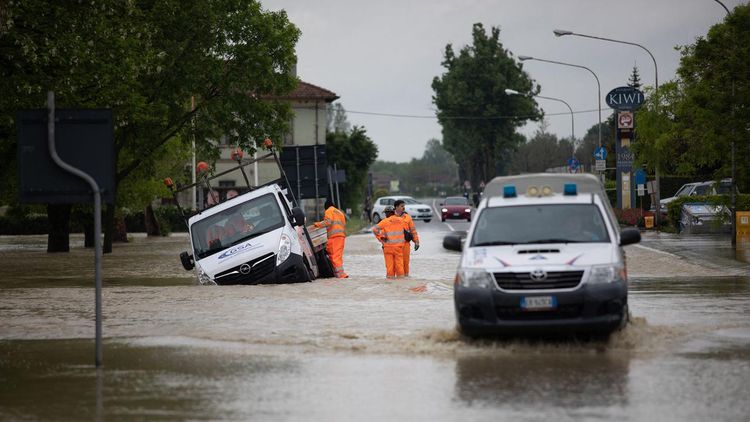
[237, 224]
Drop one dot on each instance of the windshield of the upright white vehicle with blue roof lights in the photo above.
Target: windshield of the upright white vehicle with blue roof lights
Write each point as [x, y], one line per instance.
[550, 223]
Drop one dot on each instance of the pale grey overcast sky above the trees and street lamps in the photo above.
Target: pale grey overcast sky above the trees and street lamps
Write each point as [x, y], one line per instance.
[381, 56]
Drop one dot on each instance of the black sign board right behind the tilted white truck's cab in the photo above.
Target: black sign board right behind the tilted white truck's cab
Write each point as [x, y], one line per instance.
[305, 168]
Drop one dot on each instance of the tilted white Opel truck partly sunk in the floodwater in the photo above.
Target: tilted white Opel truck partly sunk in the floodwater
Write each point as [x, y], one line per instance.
[257, 237]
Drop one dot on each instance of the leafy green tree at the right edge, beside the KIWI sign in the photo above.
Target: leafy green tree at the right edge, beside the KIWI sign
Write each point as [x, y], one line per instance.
[690, 127]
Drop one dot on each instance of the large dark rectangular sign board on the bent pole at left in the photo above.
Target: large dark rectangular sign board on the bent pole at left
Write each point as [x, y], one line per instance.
[83, 139]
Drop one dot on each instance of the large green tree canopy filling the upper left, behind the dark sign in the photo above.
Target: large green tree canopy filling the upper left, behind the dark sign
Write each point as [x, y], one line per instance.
[146, 60]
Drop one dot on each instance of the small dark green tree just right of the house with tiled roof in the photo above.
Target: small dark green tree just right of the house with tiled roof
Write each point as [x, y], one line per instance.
[353, 152]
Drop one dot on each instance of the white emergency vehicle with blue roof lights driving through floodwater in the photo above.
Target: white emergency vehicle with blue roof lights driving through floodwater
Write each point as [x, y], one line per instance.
[543, 254]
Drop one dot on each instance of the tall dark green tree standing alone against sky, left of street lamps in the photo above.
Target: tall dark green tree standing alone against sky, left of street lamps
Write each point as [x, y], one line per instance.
[478, 118]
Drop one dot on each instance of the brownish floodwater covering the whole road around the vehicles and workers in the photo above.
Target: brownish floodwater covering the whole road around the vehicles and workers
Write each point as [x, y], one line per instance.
[365, 348]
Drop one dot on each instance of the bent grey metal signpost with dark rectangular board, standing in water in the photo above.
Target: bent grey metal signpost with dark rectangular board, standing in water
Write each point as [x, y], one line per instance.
[67, 157]
